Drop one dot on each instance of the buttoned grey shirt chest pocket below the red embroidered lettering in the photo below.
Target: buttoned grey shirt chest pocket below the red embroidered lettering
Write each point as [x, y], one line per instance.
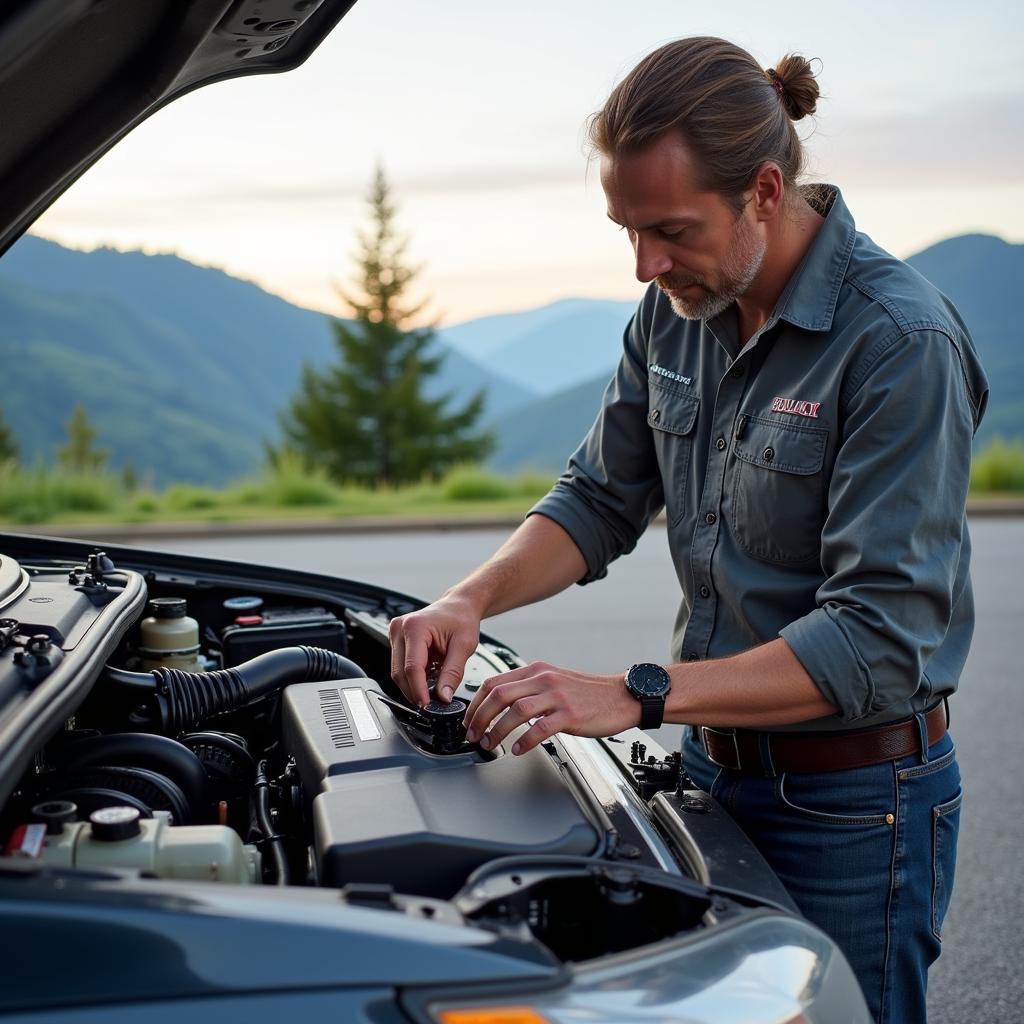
[779, 499]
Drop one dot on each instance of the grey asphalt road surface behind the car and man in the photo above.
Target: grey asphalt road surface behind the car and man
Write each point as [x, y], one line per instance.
[628, 618]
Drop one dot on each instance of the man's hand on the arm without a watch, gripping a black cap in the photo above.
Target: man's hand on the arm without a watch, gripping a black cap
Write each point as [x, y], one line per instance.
[445, 633]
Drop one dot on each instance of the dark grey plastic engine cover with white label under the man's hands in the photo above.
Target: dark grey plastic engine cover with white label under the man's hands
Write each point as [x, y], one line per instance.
[385, 810]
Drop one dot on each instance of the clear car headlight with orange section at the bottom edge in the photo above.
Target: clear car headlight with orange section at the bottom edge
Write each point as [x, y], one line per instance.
[766, 970]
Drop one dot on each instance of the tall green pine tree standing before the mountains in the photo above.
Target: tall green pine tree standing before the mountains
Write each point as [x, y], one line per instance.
[367, 418]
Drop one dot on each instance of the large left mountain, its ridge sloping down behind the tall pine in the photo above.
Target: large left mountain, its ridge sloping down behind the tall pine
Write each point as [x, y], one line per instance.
[182, 368]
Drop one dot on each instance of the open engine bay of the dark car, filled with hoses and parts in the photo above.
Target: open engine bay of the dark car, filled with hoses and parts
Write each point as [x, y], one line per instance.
[195, 721]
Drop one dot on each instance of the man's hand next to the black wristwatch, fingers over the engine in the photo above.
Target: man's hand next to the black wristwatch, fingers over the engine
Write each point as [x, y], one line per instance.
[561, 700]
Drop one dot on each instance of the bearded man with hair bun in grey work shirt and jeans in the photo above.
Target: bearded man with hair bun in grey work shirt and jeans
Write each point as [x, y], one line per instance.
[803, 406]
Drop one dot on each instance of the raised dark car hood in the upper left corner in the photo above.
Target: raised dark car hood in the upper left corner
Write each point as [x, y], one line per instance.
[78, 75]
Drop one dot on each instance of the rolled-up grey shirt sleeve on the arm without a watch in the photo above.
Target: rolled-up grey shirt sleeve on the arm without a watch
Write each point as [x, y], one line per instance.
[612, 488]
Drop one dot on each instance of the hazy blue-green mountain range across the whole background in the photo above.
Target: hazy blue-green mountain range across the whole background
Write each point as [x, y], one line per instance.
[184, 369]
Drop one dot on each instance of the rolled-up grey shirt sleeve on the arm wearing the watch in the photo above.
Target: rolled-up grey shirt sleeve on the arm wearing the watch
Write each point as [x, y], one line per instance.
[895, 527]
